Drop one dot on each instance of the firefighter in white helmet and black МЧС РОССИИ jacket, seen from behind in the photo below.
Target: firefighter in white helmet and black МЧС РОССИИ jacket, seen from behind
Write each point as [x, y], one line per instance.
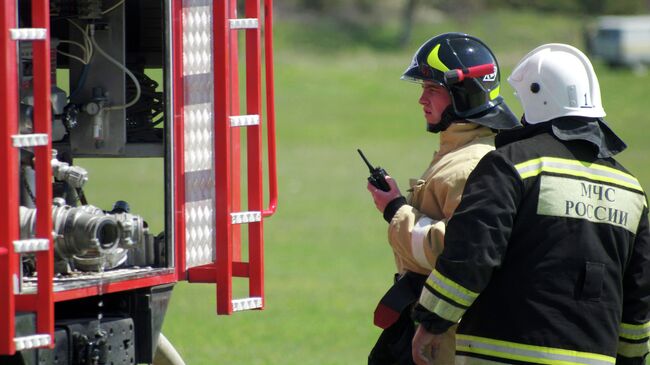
[547, 257]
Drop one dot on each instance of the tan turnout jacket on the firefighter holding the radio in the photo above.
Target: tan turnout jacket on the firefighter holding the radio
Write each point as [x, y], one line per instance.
[417, 231]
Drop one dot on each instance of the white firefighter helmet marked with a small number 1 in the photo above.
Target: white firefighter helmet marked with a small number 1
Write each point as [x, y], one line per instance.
[556, 80]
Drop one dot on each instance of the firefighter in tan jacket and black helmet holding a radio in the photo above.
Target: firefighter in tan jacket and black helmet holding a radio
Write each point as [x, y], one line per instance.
[465, 111]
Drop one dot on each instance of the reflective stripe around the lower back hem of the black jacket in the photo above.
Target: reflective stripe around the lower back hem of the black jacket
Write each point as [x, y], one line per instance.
[528, 353]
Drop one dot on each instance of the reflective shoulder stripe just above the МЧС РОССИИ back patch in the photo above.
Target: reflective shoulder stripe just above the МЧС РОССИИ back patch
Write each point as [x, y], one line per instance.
[577, 168]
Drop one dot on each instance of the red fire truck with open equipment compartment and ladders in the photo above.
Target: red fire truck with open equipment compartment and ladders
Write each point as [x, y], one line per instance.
[81, 284]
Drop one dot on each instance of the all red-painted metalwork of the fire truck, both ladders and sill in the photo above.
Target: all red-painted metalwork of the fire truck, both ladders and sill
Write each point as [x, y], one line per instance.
[227, 169]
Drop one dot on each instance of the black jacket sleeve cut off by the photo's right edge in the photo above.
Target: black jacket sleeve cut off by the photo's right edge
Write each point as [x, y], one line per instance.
[635, 325]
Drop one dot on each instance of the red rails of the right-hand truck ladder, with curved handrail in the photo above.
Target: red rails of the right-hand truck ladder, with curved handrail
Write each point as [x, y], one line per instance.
[228, 263]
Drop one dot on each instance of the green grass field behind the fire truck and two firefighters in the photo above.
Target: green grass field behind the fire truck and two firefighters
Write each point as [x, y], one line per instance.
[327, 258]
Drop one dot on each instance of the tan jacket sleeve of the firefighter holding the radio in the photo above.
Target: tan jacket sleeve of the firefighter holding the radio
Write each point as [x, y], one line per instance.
[418, 239]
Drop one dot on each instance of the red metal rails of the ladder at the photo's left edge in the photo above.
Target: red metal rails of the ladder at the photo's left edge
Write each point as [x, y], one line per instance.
[42, 302]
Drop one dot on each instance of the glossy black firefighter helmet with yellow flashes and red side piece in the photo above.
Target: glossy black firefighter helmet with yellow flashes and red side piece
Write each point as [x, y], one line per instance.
[474, 99]
